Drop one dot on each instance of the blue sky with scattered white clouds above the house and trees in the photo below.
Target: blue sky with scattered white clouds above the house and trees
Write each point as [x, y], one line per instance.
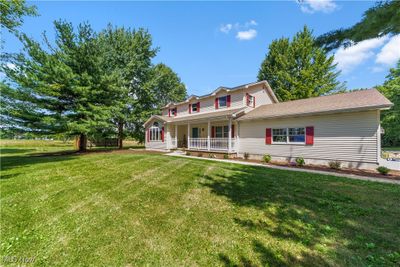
[210, 44]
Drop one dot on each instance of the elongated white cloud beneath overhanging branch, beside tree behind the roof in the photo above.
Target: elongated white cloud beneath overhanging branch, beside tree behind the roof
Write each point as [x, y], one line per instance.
[348, 58]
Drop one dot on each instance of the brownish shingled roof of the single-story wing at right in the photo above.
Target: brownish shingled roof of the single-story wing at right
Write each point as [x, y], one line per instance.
[351, 101]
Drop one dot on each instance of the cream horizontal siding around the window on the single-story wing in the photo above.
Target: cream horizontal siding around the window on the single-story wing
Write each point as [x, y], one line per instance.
[345, 136]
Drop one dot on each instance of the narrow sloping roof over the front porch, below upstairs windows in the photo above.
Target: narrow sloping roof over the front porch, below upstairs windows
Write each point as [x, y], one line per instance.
[215, 115]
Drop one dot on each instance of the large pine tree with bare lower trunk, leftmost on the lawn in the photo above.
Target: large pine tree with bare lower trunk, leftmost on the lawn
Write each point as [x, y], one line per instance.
[58, 88]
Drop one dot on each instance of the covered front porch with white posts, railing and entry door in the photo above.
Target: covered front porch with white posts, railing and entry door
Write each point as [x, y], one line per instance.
[210, 135]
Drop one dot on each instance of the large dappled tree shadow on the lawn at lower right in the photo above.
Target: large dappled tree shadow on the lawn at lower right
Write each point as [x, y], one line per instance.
[309, 212]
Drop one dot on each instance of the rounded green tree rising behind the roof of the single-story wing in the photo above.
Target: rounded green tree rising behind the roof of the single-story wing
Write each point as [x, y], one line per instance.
[299, 69]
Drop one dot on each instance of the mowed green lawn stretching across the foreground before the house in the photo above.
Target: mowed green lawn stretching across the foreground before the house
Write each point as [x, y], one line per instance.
[132, 208]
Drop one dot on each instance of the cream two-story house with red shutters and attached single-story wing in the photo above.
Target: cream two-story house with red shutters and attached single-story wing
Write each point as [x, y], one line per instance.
[250, 119]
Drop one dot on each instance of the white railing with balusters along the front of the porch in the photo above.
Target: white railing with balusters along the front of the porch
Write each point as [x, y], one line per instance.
[216, 144]
